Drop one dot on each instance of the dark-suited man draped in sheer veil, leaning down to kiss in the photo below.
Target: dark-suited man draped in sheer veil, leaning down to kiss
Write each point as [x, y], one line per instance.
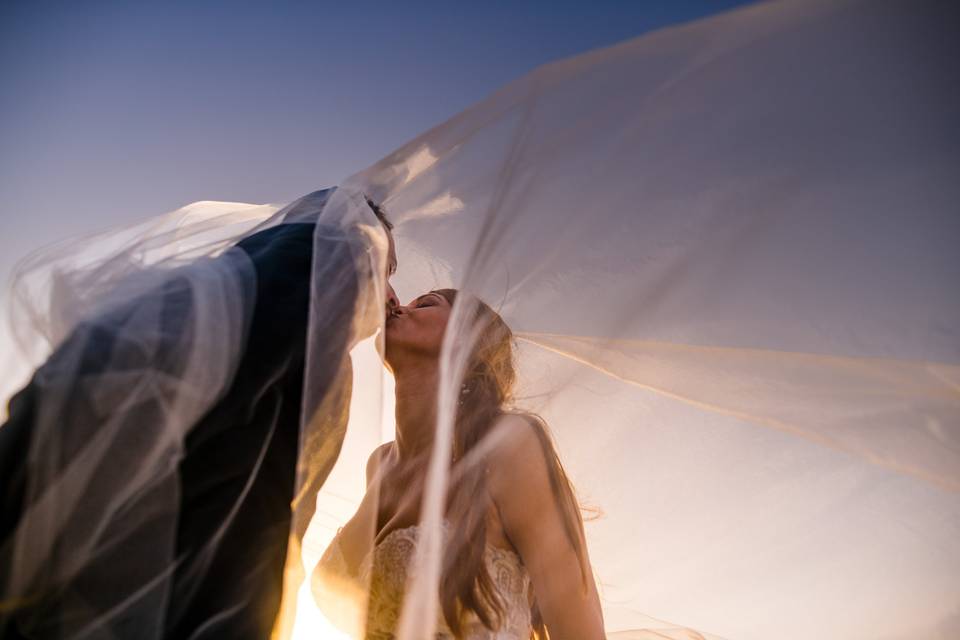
[162, 347]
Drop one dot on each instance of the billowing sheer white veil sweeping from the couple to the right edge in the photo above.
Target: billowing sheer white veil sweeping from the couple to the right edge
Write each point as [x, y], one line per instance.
[729, 253]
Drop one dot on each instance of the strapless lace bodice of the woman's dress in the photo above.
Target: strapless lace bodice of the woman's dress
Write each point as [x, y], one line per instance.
[385, 571]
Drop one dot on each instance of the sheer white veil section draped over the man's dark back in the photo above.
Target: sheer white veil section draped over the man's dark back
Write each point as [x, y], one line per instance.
[142, 330]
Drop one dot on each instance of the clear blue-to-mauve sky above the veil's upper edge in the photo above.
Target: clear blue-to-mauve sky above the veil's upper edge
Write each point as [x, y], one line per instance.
[113, 111]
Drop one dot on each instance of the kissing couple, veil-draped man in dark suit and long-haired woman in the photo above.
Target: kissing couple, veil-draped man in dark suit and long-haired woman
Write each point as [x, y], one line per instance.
[164, 459]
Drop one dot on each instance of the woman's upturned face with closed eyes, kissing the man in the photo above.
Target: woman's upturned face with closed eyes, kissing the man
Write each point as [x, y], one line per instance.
[416, 330]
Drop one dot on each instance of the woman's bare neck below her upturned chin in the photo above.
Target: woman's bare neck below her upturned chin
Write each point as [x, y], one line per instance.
[416, 412]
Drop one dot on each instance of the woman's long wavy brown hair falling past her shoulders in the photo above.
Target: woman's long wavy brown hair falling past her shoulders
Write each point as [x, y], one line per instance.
[488, 385]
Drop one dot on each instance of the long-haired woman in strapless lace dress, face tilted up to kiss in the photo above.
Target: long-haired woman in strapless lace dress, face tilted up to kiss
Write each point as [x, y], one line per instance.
[515, 560]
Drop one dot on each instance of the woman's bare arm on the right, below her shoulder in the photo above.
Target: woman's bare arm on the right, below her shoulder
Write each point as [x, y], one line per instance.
[519, 483]
